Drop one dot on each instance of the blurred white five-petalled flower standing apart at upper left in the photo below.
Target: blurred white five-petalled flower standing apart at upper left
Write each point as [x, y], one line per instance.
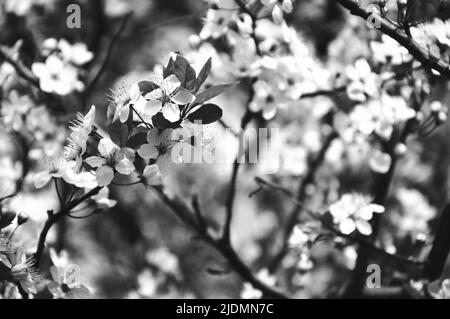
[57, 77]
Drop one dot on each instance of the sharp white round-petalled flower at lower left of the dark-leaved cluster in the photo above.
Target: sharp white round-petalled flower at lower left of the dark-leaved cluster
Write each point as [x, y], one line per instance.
[112, 158]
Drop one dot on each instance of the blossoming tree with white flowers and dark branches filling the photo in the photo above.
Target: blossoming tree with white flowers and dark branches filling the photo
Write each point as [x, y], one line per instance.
[341, 185]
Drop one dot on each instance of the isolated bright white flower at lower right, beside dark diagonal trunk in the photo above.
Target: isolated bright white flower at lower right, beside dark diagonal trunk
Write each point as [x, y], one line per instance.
[353, 212]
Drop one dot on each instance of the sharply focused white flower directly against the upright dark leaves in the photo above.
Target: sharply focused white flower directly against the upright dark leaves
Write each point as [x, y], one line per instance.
[169, 95]
